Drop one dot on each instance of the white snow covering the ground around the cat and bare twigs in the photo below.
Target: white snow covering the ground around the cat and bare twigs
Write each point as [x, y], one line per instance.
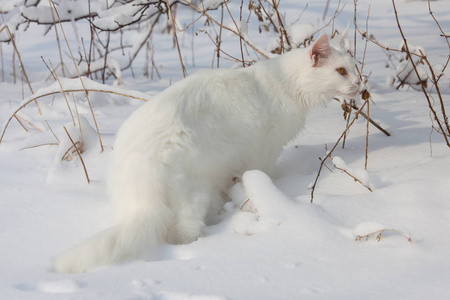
[290, 249]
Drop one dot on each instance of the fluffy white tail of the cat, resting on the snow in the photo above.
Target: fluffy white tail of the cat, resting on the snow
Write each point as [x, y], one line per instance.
[125, 241]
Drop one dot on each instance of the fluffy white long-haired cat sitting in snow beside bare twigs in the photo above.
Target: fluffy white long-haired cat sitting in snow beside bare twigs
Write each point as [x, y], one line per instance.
[175, 158]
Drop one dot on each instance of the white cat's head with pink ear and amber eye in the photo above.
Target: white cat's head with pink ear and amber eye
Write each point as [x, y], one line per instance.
[332, 70]
